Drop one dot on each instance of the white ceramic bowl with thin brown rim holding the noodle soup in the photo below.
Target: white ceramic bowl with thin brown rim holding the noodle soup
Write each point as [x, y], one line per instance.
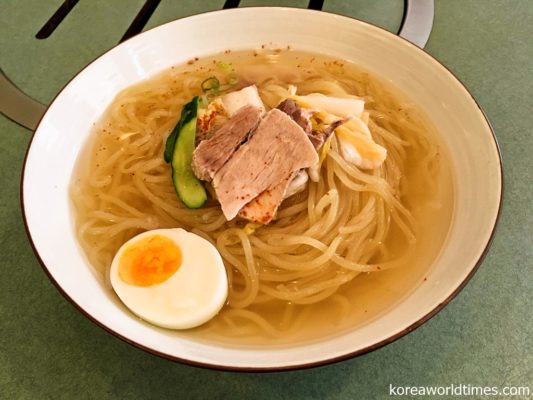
[64, 129]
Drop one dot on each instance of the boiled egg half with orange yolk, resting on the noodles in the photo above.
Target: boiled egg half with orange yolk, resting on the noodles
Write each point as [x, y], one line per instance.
[170, 277]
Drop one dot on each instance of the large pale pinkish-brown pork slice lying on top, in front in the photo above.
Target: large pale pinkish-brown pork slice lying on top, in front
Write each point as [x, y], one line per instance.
[278, 147]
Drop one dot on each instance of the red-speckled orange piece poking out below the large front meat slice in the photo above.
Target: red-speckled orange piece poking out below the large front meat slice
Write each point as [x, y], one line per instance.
[263, 208]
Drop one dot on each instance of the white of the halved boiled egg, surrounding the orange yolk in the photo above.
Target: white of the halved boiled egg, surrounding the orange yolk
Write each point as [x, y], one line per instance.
[192, 296]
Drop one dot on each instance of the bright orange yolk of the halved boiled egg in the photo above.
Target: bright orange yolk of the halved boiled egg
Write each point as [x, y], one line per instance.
[149, 261]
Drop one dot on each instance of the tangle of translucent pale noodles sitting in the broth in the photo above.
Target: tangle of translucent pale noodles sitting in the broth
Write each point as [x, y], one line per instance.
[322, 239]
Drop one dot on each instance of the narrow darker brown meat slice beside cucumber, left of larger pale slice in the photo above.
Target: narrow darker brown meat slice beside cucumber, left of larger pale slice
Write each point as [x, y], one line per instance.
[213, 153]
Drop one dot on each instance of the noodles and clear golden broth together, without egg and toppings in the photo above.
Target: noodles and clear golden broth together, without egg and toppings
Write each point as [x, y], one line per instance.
[338, 254]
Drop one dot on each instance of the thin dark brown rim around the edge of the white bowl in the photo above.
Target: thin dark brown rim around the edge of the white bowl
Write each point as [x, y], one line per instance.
[328, 361]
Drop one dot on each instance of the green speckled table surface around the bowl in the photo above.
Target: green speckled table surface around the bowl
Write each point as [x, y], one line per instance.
[484, 337]
